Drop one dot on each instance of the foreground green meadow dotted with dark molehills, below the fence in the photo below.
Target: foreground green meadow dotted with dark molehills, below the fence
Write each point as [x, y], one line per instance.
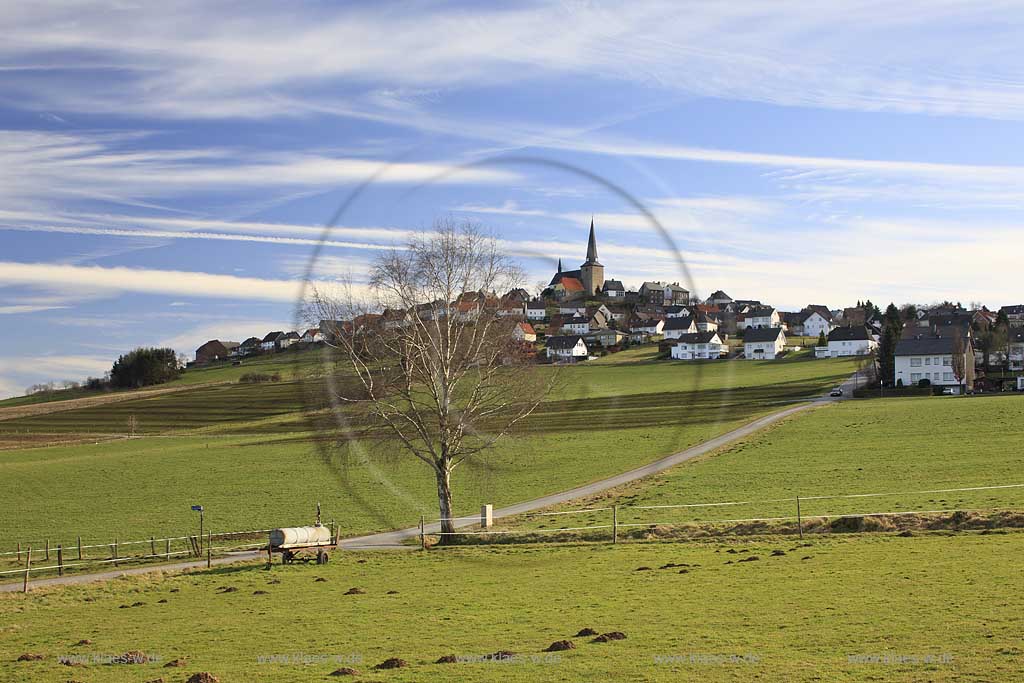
[805, 616]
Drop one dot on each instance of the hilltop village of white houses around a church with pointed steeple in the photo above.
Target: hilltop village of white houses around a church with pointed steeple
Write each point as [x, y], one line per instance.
[581, 316]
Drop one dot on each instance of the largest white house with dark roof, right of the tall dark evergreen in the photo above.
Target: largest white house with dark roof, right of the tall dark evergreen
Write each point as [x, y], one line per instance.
[935, 360]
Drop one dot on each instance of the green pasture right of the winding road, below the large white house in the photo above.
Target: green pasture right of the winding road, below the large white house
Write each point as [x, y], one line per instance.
[888, 446]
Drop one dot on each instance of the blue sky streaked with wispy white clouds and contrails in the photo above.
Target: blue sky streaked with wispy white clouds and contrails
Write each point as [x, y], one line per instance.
[167, 172]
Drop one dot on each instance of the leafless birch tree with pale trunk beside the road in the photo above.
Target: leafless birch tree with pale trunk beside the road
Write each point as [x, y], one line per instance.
[425, 355]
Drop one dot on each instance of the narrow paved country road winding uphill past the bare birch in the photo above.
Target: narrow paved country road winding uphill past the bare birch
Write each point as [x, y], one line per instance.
[394, 540]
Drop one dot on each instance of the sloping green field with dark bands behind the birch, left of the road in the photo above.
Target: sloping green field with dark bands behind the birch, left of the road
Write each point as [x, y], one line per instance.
[247, 454]
